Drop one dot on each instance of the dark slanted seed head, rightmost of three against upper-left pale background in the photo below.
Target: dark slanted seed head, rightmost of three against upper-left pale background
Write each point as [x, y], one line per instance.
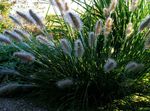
[37, 20]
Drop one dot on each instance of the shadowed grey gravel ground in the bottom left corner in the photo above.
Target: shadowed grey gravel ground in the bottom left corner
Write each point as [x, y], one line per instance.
[10, 104]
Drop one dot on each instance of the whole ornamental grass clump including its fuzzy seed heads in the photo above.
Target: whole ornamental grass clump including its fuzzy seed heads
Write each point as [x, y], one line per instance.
[91, 62]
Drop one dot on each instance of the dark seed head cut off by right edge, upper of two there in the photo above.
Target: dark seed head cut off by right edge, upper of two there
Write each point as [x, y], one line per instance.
[145, 23]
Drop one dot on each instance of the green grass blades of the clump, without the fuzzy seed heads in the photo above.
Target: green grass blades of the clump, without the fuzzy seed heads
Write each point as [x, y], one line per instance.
[92, 85]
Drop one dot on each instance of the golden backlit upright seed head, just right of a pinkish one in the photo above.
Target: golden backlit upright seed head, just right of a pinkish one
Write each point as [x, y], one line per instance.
[108, 26]
